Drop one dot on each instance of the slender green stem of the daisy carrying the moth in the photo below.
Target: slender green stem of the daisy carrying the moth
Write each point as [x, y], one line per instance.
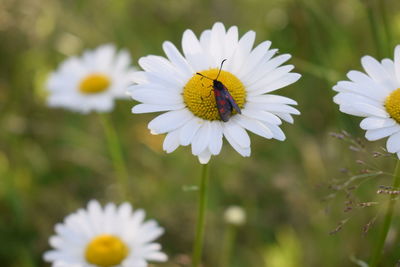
[201, 217]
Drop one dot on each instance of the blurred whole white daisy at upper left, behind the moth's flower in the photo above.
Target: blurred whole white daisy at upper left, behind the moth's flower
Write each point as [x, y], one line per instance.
[91, 82]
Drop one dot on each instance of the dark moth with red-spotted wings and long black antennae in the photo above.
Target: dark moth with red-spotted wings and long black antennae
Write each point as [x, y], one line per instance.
[224, 100]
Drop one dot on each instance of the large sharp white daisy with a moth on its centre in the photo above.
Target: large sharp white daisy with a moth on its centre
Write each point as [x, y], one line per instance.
[191, 116]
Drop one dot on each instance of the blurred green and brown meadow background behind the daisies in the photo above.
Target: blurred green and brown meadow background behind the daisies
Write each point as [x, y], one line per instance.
[52, 161]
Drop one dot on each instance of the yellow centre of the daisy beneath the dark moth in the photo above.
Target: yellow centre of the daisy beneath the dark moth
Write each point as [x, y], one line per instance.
[199, 97]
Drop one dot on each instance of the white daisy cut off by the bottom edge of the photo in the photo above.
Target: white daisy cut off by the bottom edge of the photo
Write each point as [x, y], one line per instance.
[113, 236]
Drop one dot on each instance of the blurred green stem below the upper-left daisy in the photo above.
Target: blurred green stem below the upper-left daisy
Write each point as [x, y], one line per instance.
[117, 157]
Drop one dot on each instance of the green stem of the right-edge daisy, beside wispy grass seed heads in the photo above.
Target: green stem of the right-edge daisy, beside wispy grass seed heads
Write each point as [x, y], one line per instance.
[377, 253]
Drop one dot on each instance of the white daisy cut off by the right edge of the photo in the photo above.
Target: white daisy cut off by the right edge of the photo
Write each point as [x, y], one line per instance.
[374, 95]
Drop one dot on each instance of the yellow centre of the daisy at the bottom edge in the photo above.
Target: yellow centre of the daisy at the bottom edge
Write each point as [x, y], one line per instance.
[106, 250]
